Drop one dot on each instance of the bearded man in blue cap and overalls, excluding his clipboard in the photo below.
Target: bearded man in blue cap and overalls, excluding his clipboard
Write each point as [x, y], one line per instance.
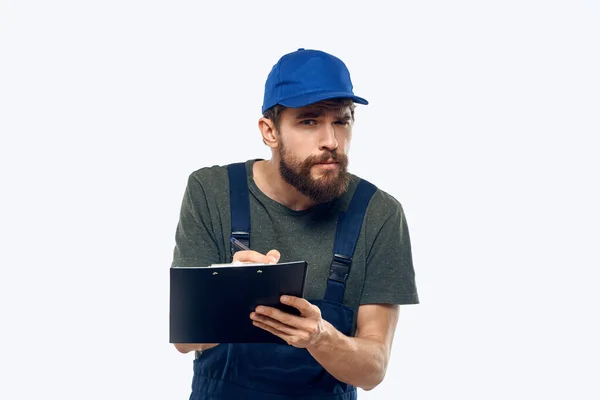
[302, 204]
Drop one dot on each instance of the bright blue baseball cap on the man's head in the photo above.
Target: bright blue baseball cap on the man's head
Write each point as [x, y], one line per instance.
[305, 77]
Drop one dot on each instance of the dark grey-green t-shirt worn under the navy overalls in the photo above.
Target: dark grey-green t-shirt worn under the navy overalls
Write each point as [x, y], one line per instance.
[382, 269]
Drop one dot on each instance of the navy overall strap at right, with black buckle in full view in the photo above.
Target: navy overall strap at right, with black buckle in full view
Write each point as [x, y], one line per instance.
[346, 236]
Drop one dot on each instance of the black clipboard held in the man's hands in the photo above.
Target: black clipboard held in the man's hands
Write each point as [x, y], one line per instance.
[213, 304]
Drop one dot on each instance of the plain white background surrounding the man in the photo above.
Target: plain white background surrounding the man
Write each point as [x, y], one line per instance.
[483, 122]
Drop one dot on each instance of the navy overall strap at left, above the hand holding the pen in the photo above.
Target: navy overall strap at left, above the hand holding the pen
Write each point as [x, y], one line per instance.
[239, 203]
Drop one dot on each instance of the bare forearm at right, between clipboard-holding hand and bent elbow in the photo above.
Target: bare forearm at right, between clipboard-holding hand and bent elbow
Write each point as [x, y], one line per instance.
[361, 362]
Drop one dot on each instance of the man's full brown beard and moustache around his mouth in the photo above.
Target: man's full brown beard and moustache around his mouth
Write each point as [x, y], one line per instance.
[329, 186]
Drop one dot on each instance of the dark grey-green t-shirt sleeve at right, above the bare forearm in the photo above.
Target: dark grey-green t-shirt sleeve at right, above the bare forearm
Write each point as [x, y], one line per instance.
[390, 276]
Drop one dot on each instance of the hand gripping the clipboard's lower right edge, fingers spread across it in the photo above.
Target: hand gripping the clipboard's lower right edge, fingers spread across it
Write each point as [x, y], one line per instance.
[303, 331]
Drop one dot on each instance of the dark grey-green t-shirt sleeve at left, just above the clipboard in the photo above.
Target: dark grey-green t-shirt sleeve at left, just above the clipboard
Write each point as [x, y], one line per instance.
[195, 244]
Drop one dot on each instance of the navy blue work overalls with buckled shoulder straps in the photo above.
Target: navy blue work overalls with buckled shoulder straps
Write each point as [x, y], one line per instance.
[273, 371]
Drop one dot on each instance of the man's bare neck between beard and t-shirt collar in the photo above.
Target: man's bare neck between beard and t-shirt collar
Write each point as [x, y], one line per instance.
[269, 181]
